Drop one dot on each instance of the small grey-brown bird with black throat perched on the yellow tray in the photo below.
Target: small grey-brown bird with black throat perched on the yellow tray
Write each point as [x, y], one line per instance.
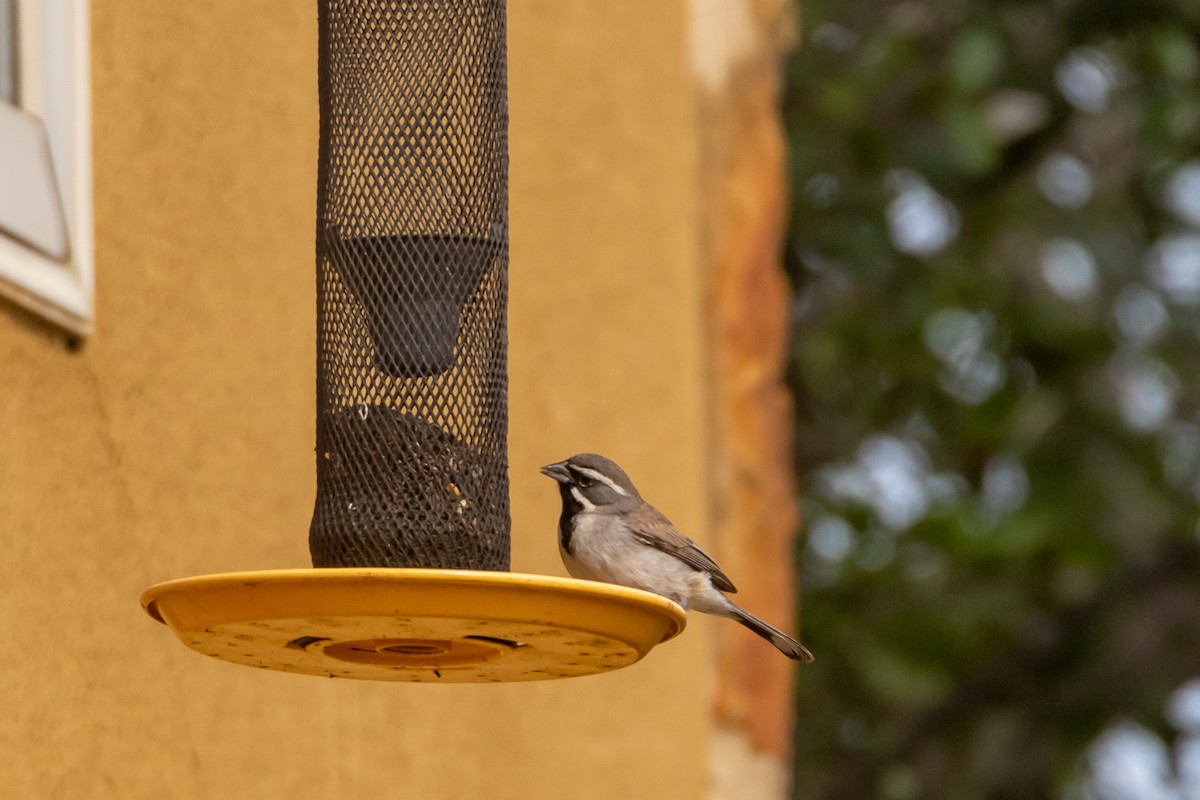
[609, 533]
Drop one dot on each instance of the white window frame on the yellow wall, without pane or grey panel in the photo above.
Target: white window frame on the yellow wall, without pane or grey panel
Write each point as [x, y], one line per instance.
[55, 86]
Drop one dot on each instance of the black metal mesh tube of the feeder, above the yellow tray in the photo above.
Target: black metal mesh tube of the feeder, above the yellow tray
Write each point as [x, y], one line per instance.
[412, 284]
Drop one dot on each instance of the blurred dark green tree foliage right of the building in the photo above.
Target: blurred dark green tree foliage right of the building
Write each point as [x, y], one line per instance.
[995, 245]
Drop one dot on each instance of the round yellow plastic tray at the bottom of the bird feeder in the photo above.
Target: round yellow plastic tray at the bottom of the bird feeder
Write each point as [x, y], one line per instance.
[416, 625]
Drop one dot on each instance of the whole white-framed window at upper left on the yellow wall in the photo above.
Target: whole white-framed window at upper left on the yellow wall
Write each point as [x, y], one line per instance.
[46, 238]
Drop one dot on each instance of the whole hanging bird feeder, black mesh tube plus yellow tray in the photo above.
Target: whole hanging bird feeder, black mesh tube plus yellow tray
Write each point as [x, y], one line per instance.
[411, 527]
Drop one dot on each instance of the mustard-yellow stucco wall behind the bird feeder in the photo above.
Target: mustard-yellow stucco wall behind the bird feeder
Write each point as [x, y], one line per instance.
[179, 441]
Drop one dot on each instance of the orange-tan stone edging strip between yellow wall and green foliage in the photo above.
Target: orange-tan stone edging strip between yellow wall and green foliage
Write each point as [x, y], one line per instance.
[737, 61]
